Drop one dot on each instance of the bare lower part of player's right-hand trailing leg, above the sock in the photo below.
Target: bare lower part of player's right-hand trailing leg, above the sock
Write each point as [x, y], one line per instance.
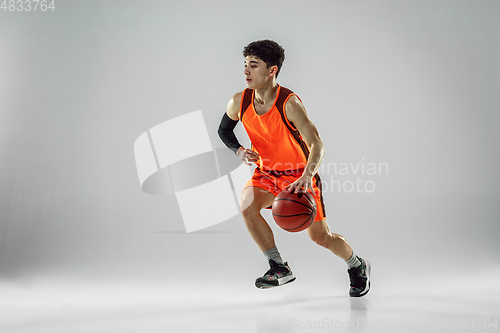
[320, 233]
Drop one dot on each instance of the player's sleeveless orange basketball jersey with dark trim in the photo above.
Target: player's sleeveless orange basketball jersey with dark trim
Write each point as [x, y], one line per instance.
[276, 140]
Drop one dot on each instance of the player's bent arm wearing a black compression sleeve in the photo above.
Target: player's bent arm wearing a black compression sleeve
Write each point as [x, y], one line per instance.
[226, 131]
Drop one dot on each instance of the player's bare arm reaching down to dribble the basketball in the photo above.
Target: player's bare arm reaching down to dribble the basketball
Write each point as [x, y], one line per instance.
[297, 114]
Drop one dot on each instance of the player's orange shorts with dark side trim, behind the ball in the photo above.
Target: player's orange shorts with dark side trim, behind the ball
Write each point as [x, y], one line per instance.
[275, 181]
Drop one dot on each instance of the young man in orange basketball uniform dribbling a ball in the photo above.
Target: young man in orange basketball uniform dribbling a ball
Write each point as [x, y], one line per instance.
[287, 149]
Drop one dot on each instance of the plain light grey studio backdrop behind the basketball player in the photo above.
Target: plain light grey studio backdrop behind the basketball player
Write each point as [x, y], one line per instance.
[409, 84]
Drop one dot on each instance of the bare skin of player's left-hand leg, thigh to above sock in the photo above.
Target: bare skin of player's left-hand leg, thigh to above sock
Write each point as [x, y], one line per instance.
[253, 200]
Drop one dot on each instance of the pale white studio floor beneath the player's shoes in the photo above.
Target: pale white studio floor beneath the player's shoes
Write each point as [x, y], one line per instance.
[469, 302]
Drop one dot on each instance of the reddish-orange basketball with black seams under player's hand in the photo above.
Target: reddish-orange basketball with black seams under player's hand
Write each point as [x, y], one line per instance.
[294, 212]
